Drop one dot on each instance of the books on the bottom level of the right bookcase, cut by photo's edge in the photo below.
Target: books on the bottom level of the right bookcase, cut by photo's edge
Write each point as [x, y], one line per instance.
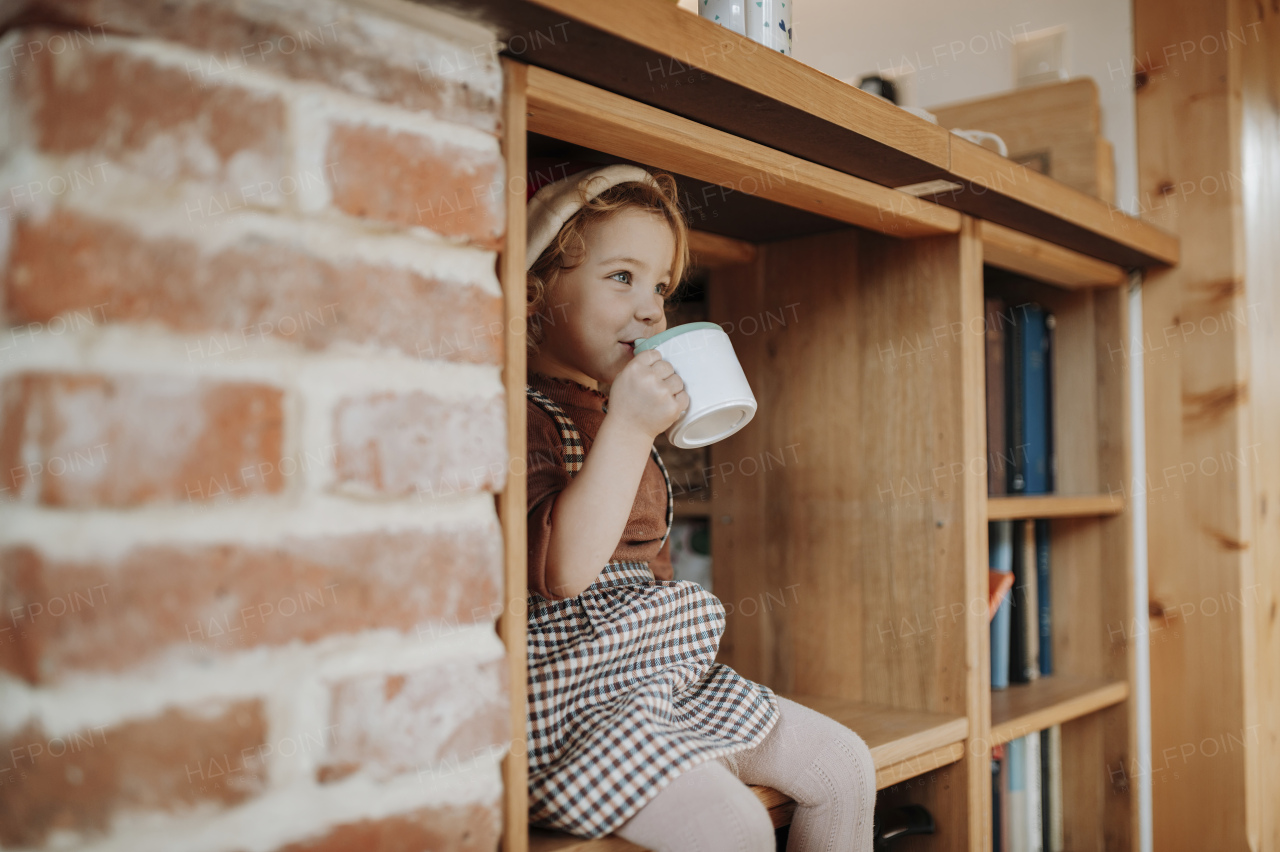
[1027, 794]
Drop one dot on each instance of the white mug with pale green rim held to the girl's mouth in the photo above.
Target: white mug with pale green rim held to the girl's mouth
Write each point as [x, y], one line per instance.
[720, 400]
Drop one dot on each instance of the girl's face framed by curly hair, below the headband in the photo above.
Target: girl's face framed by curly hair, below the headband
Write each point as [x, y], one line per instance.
[597, 310]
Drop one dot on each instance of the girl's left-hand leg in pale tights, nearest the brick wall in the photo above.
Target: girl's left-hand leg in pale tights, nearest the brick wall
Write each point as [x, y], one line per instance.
[703, 810]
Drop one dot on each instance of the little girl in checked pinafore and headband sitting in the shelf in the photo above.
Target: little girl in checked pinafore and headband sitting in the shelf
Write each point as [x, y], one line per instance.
[634, 730]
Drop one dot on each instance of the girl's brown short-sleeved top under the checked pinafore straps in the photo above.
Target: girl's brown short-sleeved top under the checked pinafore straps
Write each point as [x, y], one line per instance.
[548, 478]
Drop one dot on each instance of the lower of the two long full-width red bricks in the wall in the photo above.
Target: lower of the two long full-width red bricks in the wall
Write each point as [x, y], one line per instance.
[203, 599]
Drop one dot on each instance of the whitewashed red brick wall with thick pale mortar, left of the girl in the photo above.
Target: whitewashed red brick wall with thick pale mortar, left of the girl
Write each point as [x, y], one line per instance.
[252, 428]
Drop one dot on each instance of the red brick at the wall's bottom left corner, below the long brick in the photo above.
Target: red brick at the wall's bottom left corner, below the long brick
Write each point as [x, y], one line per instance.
[167, 763]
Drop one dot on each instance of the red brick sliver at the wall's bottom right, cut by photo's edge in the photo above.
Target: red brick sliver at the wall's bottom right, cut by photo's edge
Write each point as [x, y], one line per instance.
[449, 828]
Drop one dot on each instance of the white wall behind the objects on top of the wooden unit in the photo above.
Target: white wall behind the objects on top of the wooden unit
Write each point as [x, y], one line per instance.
[962, 51]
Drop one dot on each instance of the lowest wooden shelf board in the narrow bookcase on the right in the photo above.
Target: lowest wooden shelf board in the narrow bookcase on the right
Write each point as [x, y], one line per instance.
[1053, 700]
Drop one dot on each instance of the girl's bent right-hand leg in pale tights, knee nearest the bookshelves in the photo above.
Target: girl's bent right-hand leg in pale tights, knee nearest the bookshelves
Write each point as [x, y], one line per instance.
[826, 768]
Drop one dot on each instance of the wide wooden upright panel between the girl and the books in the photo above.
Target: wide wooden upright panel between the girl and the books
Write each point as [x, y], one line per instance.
[851, 498]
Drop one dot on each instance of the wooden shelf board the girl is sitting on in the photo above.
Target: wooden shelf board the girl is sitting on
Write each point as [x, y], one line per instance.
[904, 744]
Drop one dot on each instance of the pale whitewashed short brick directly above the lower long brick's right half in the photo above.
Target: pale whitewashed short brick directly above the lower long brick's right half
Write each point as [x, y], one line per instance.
[399, 445]
